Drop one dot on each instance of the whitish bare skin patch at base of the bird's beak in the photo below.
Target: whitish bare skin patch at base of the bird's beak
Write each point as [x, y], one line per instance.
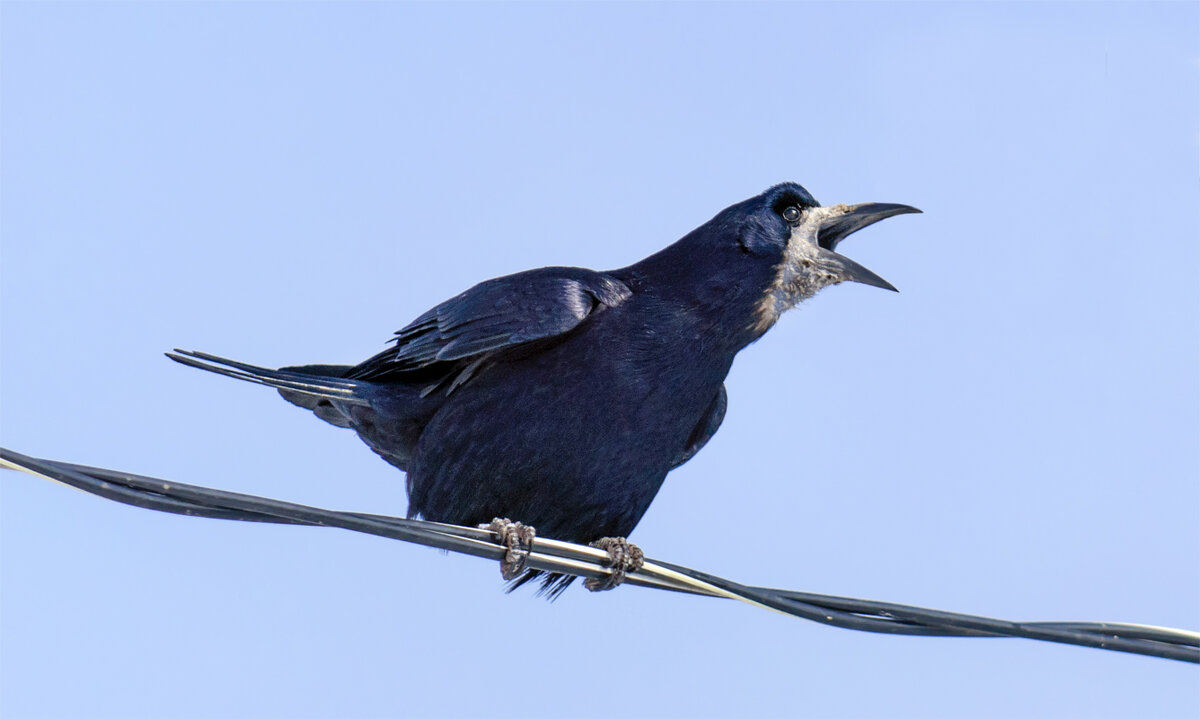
[801, 274]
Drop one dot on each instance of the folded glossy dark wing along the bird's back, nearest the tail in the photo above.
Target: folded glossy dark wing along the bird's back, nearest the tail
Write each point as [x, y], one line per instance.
[496, 315]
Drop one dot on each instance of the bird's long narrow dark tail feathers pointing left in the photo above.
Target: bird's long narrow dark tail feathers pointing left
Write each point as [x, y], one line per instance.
[310, 387]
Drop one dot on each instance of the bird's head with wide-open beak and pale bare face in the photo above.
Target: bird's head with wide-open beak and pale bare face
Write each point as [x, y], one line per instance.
[794, 239]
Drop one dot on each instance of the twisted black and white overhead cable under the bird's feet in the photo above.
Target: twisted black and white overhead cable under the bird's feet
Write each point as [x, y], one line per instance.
[563, 558]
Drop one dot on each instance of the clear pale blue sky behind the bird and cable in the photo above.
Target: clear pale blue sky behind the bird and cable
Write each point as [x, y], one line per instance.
[1015, 435]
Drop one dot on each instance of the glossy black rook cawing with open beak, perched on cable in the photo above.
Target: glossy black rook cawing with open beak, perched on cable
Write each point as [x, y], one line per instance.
[561, 398]
